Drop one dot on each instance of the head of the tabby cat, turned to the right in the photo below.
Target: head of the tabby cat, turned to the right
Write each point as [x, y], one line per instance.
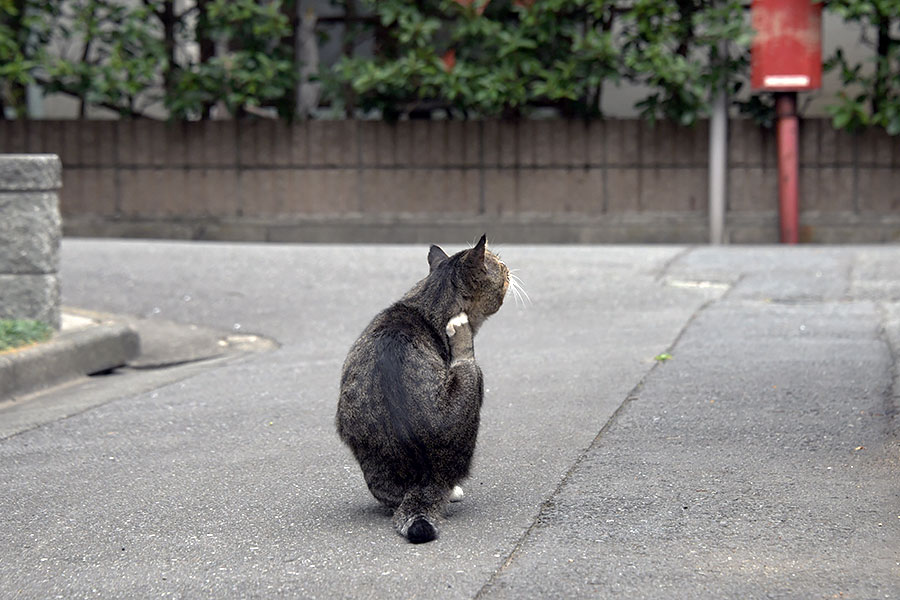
[479, 276]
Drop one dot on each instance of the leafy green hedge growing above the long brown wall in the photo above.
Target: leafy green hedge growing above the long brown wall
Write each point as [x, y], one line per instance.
[469, 58]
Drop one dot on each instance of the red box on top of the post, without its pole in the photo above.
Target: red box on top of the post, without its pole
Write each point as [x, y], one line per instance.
[786, 55]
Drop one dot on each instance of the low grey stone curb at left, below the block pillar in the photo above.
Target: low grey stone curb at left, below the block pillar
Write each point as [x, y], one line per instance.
[68, 355]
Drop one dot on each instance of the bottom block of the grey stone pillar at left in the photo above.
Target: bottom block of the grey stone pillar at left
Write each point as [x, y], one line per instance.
[30, 297]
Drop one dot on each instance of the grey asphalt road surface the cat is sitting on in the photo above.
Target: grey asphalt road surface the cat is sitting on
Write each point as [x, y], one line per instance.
[760, 460]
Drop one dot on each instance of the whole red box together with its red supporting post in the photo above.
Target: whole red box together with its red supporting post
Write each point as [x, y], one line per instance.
[786, 57]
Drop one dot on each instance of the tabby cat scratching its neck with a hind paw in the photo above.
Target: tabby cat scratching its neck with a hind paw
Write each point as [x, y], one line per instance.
[411, 391]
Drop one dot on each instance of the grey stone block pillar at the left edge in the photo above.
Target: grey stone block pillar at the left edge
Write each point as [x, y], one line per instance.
[29, 237]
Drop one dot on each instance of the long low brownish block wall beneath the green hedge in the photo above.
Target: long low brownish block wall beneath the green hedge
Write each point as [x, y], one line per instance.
[541, 181]
